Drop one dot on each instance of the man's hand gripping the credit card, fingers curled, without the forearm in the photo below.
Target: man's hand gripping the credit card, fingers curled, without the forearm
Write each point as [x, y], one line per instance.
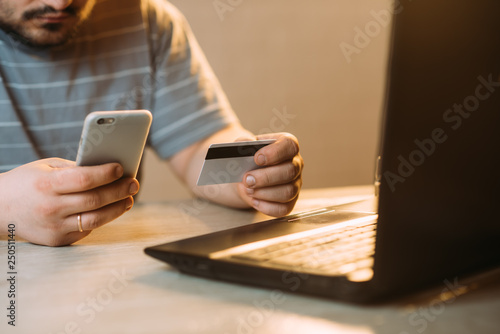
[273, 189]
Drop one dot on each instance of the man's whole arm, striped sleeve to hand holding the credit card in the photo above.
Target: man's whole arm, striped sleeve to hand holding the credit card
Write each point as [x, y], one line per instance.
[276, 187]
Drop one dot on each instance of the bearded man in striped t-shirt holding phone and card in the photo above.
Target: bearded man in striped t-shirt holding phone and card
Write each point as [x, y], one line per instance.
[60, 60]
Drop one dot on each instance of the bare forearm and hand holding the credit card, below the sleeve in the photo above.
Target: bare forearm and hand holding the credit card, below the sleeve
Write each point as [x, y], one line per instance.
[275, 188]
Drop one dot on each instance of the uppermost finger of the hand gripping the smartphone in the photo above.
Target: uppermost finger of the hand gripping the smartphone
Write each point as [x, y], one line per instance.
[70, 180]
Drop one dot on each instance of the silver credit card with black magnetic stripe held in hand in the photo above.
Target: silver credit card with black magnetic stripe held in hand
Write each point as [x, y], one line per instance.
[228, 162]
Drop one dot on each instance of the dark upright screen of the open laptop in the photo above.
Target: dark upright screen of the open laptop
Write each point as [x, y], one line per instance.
[439, 177]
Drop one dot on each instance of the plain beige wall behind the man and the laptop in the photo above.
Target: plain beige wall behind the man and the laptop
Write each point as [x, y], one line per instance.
[284, 57]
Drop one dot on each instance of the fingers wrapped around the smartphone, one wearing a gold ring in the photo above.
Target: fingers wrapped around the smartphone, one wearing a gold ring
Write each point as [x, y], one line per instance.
[96, 206]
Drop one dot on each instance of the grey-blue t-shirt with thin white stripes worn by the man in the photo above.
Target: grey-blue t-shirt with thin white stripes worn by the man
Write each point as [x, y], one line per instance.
[130, 54]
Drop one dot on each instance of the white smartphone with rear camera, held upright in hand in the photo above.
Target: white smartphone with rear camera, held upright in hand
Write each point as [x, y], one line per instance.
[114, 136]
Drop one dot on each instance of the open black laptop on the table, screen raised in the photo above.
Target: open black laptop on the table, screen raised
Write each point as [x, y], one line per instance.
[435, 219]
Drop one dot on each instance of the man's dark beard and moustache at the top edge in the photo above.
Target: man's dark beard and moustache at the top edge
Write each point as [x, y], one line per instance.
[48, 34]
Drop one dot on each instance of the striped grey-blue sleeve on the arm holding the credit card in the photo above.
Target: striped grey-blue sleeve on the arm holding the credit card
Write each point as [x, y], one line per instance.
[188, 102]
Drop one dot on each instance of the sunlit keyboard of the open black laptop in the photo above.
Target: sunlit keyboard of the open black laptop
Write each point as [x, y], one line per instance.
[343, 251]
